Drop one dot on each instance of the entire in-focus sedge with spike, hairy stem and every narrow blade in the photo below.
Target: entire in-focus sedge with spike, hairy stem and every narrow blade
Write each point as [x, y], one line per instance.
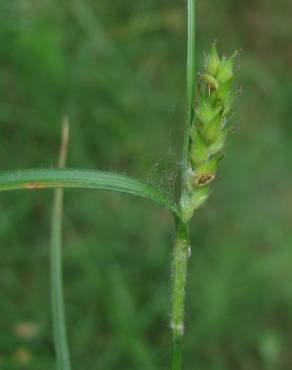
[209, 101]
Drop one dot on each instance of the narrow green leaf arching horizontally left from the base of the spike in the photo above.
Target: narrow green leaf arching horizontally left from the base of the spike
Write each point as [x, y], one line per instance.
[75, 178]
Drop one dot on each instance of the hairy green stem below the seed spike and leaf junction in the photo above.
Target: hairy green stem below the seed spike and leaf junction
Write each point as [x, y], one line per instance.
[180, 259]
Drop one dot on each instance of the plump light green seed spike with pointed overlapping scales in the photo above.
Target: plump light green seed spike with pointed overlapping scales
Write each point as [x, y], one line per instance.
[209, 130]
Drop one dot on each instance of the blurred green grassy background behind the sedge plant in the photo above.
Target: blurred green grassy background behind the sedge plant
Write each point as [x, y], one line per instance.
[117, 69]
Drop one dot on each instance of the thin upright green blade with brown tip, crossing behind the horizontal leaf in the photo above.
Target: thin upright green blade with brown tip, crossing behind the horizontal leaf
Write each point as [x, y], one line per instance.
[57, 295]
